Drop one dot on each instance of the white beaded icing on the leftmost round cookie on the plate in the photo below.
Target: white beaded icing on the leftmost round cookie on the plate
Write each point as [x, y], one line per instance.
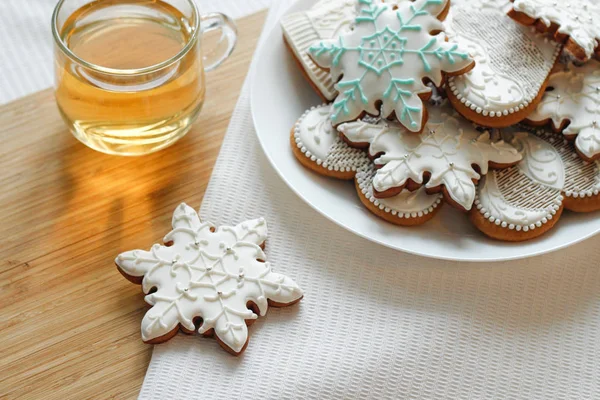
[321, 143]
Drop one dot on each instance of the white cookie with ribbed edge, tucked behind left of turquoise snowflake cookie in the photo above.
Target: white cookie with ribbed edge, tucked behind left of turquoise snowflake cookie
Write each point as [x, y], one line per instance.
[327, 19]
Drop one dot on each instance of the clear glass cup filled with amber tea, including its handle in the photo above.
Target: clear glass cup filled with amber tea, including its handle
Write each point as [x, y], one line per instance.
[129, 74]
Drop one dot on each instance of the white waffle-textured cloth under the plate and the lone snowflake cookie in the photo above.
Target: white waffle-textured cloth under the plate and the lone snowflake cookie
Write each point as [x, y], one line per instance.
[376, 323]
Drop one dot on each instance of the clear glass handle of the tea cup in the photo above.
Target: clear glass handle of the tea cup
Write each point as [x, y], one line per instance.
[223, 49]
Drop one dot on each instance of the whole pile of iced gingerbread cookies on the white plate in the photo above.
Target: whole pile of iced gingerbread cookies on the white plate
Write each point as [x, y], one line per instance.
[491, 106]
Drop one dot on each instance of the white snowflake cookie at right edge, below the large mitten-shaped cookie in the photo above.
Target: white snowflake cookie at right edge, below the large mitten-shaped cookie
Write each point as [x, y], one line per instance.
[572, 104]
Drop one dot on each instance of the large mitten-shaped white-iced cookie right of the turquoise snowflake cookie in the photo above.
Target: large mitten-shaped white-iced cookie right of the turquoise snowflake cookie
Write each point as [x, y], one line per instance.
[512, 63]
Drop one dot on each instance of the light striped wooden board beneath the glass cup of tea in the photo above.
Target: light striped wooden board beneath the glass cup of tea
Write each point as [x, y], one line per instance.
[69, 322]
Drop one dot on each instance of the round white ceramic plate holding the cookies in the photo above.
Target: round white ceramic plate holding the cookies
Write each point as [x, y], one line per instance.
[279, 96]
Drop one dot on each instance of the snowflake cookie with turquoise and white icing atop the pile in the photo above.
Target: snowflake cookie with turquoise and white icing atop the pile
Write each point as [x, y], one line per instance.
[380, 65]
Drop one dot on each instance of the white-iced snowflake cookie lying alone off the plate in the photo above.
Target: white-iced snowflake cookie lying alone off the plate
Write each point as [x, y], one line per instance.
[215, 281]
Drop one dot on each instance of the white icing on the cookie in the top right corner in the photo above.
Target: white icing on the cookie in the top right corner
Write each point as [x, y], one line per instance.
[575, 18]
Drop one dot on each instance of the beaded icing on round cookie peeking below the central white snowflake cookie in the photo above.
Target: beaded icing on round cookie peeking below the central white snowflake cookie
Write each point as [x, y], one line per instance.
[404, 205]
